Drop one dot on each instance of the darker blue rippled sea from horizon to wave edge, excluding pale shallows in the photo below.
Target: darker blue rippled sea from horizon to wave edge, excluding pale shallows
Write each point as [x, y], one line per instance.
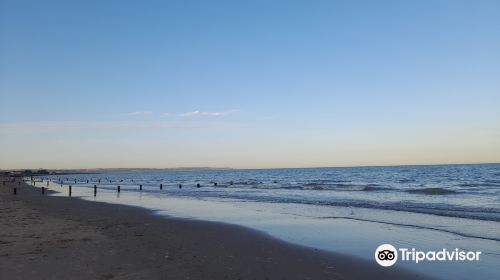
[466, 191]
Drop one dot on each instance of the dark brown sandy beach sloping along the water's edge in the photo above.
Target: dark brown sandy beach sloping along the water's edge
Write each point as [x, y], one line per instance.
[48, 237]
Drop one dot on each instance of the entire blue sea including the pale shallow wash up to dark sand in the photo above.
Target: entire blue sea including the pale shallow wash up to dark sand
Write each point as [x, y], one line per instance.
[347, 210]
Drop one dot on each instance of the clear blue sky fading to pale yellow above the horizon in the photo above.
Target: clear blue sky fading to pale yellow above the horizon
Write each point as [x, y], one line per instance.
[248, 84]
